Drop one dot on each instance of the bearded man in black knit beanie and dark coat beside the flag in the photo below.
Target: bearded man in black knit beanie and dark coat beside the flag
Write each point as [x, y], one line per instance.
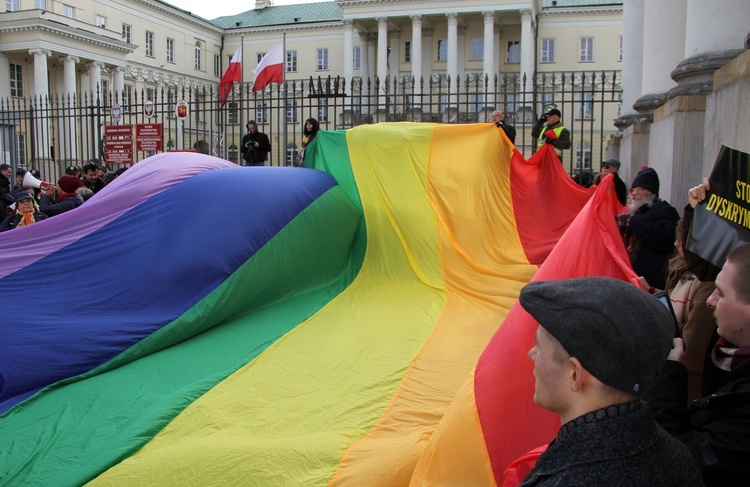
[648, 229]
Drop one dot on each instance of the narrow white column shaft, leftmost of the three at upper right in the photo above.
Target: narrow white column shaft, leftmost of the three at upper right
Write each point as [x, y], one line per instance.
[632, 54]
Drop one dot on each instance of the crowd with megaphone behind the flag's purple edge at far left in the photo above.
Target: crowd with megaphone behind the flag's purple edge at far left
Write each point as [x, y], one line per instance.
[25, 204]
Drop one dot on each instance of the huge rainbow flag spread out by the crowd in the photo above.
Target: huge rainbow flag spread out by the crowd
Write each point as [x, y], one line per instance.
[196, 322]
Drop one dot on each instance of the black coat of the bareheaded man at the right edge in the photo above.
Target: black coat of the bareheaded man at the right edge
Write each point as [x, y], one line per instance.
[716, 428]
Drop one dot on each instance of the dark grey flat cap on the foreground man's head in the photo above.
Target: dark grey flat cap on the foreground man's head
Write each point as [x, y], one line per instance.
[620, 334]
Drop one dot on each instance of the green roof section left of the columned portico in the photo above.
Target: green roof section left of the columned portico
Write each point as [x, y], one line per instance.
[282, 15]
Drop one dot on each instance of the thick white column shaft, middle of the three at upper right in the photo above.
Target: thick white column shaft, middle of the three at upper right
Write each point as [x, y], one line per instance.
[664, 46]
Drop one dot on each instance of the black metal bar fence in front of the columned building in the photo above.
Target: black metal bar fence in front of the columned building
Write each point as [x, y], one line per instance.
[55, 132]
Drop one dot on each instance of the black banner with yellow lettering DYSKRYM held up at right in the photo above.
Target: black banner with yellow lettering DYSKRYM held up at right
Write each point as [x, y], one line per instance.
[722, 221]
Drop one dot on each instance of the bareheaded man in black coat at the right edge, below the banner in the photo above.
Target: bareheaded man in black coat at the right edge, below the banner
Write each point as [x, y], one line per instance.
[716, 428]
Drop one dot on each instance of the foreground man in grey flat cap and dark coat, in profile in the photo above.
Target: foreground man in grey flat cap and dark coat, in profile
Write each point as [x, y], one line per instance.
[599, 345]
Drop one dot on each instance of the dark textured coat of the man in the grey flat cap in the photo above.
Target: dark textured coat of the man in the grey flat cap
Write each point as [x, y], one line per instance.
[624, 449]
